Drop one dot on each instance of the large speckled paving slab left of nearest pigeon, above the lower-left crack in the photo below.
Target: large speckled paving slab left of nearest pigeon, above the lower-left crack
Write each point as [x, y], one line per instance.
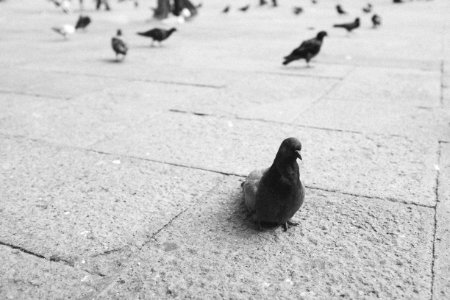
[73, 205]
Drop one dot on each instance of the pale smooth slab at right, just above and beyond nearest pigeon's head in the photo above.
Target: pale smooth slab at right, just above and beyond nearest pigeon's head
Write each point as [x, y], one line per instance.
[385, 118]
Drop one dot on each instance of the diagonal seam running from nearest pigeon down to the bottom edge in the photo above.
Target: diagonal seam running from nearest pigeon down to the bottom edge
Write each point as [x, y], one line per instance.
[113, 278]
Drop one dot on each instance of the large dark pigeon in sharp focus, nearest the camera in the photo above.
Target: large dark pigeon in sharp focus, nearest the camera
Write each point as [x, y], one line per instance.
[275, 194]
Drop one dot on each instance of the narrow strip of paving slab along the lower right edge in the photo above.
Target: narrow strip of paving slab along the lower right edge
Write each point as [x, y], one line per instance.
[441, 270]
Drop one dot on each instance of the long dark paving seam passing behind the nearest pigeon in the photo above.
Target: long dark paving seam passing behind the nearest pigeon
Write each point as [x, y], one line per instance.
[396, 200]
